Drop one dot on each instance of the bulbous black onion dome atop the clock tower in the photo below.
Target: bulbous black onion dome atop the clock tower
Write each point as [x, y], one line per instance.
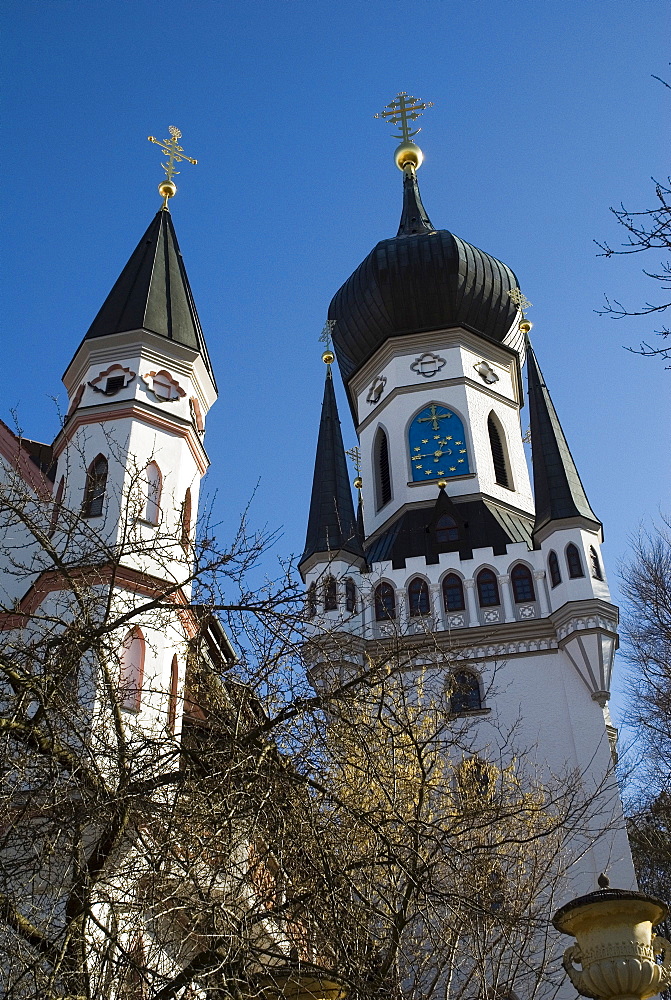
[423, 279]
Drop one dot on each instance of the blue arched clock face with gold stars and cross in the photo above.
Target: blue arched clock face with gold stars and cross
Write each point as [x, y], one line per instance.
[437, 445]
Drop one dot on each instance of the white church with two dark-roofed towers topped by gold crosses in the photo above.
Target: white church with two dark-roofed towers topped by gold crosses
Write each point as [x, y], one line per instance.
[449, 551]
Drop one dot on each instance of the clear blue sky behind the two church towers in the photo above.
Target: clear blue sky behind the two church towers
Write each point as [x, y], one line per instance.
[545, 115]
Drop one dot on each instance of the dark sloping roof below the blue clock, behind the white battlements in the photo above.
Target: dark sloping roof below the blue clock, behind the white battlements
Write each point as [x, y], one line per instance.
[481, 525]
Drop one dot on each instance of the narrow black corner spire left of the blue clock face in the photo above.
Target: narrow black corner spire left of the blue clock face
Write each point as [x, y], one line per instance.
[332, 525]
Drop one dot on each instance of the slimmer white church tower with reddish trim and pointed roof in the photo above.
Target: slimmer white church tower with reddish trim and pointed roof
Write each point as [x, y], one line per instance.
[130, 457]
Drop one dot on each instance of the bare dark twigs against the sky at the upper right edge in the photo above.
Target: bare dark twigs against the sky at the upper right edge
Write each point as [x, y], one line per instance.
[647, 230]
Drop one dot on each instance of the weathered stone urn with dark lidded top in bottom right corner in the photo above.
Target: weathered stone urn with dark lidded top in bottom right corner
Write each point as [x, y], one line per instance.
[615, 953]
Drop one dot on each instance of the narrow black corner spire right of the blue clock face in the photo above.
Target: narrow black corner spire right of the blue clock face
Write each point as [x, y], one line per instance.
[558, 491]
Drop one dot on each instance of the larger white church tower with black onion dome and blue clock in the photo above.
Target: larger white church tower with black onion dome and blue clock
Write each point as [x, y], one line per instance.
[454, 549]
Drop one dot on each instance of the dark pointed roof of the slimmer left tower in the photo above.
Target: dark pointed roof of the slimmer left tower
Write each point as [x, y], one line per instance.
[153, 293]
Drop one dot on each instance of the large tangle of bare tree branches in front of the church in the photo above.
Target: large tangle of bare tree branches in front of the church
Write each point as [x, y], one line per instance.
[257, 824]
